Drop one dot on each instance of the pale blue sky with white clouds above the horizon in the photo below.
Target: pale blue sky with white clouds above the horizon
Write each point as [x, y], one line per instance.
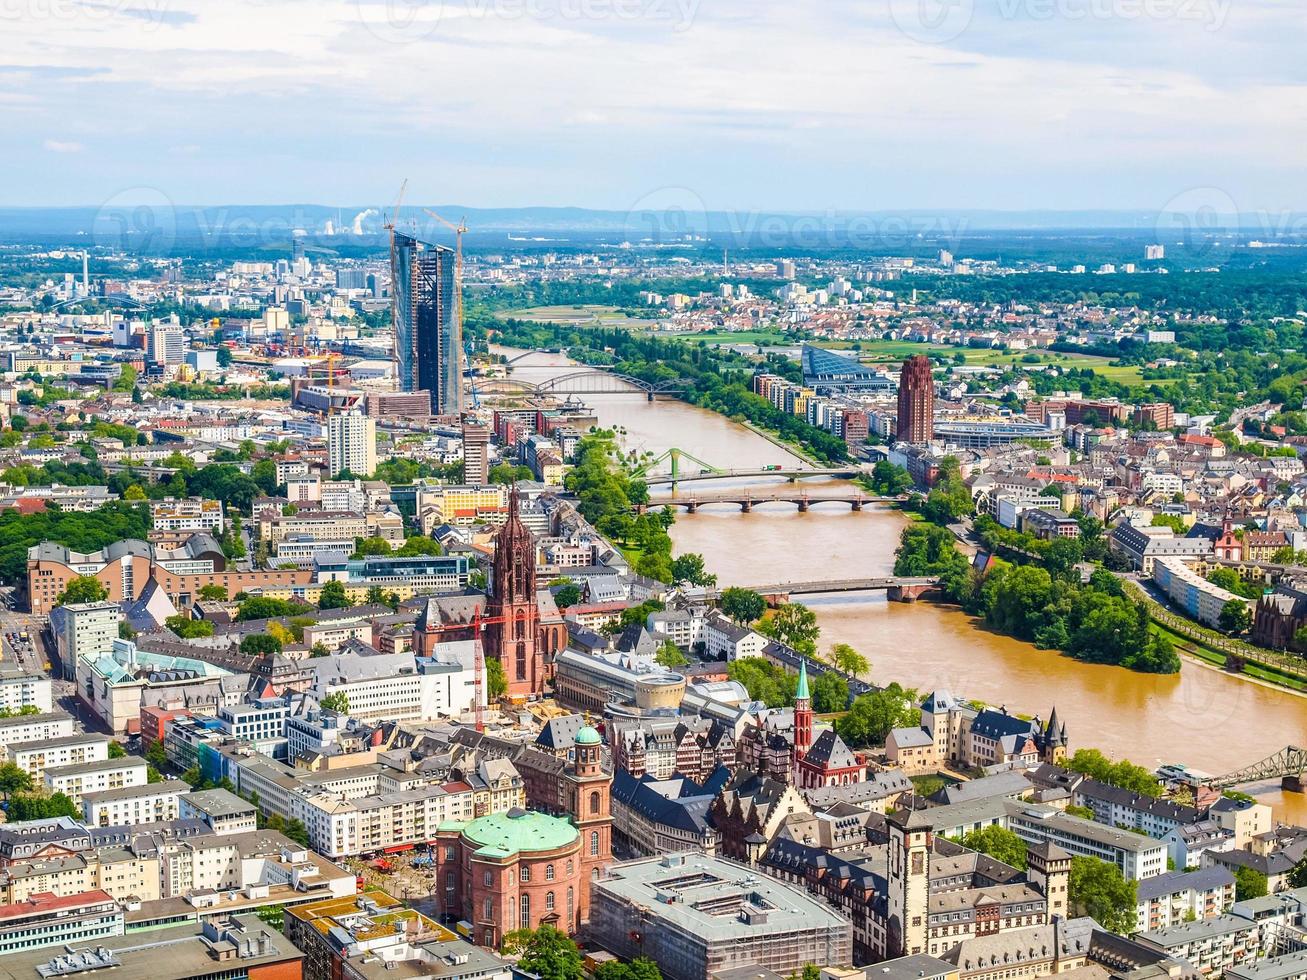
[718, 105]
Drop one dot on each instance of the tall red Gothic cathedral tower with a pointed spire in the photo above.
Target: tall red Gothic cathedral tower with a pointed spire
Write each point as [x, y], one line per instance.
[514, 642]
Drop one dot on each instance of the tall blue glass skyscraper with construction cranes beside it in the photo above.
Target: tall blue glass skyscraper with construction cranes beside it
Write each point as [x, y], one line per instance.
[427, 323]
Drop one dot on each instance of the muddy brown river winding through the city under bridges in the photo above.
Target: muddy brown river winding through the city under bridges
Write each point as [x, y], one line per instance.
[1202, 718]
